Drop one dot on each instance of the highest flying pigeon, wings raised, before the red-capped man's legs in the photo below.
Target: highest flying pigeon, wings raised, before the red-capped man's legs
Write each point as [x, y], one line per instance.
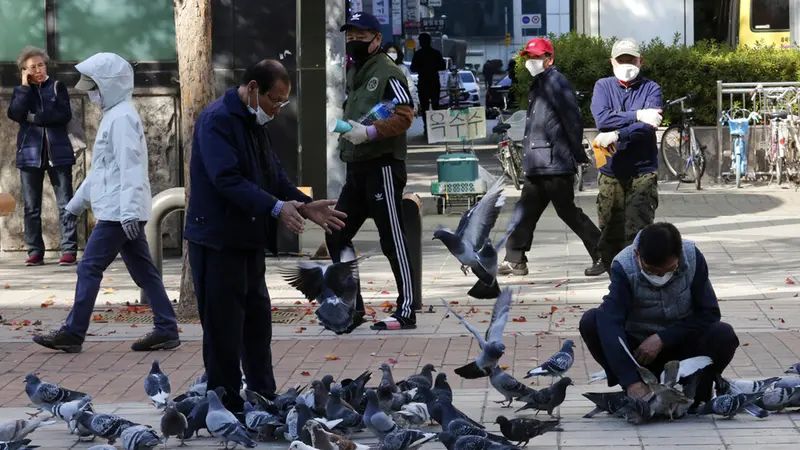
[471, 245]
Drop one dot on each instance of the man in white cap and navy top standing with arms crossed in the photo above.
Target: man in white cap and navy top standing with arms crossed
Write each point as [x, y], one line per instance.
[627, 111]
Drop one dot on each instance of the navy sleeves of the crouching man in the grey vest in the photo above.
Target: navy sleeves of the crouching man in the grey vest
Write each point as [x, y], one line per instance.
[611, 315]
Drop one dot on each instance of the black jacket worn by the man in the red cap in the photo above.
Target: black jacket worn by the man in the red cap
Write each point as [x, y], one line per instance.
[553, 140]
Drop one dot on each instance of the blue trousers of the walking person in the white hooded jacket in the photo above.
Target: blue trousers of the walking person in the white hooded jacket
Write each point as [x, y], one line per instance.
[106, 241]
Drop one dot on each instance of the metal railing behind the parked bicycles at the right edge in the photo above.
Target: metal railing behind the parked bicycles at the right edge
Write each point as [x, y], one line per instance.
[730, 95]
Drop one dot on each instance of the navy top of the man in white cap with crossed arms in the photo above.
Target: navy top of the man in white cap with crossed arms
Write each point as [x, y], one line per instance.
[614, 107]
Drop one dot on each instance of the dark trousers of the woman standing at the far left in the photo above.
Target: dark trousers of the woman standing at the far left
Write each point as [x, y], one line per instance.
[32, 179]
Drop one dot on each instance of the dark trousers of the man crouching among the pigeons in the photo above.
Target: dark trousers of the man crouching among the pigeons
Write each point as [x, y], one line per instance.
[718, 342]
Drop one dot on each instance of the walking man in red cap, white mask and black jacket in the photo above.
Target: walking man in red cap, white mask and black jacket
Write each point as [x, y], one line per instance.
[553, 147]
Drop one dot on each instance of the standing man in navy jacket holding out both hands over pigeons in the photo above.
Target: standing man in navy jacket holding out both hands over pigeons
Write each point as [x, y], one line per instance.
[239, 192]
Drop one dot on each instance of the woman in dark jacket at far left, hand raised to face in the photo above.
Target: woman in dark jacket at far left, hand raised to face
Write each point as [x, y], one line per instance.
[40, 105]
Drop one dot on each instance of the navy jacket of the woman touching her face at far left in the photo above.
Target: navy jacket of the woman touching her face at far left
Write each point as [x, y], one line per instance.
[51, 114]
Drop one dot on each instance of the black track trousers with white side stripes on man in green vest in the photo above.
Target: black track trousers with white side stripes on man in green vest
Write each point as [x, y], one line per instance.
[375, 189]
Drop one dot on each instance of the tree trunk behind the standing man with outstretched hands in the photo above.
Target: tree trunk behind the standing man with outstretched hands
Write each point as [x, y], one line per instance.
[195, 70]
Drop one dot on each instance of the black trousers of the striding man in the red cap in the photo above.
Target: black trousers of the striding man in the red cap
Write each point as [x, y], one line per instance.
[537, 193]
